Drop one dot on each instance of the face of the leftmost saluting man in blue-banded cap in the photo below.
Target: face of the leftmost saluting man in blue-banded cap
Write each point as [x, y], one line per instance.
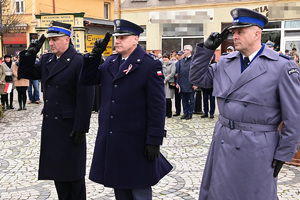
[59, 45]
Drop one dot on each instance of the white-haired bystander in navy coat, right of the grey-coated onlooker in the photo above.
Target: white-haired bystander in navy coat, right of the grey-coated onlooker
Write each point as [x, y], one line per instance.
[186, 89]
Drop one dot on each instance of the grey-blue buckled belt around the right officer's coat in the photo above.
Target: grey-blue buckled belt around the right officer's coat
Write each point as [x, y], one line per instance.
[247, 126]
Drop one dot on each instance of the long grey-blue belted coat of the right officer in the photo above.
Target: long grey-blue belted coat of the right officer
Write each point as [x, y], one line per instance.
[246, 137]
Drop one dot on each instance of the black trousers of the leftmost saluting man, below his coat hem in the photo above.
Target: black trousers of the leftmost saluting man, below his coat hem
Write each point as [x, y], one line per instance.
[71, 190]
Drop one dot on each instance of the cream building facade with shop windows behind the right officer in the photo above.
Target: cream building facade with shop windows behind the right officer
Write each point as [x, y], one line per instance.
[170, 24]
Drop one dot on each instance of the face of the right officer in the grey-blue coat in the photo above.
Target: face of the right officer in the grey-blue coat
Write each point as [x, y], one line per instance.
[245, 38]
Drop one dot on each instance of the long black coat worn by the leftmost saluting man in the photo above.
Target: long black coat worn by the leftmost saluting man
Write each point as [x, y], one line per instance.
[67, 107]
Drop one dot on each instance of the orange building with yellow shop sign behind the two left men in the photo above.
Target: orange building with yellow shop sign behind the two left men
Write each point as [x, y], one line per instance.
[90, 19]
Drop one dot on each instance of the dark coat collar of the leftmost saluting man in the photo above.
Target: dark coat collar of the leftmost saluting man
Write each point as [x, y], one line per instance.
[62, 62]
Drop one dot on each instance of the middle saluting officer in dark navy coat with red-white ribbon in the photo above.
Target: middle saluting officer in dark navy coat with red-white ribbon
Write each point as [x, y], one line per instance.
[131, 117]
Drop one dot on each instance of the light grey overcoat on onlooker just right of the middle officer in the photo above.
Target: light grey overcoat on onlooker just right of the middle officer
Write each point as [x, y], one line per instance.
[169, 70]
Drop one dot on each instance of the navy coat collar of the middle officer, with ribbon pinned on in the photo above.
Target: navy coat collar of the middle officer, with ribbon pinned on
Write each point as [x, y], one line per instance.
[132, 63]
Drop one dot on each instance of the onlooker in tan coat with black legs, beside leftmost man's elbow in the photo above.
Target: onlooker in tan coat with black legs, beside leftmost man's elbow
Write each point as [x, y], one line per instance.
[21, 86]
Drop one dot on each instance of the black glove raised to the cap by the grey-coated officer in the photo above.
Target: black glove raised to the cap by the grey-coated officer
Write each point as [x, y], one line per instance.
[215, 39]
